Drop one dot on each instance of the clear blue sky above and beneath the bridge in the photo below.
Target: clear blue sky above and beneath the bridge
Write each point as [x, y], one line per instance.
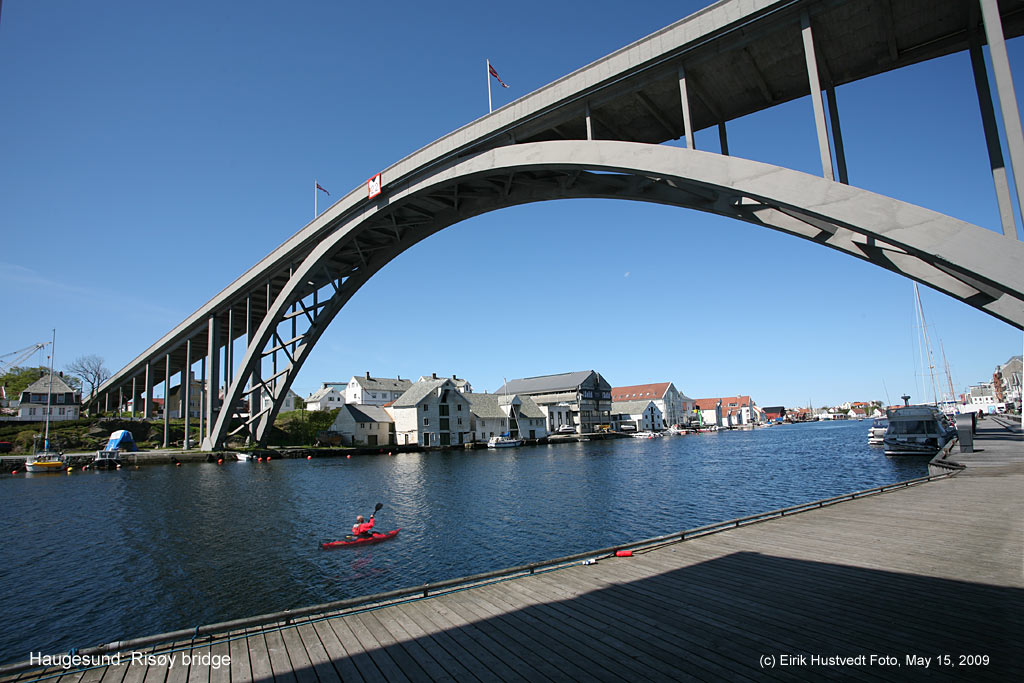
[153, 152]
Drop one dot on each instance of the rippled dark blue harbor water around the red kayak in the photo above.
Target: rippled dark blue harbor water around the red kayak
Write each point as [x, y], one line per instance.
[93, 558]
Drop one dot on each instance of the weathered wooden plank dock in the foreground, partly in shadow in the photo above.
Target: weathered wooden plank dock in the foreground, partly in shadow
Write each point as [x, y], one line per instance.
[854, 591]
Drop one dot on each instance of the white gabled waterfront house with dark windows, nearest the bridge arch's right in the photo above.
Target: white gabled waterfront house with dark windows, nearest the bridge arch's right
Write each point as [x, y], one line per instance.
[433, 413]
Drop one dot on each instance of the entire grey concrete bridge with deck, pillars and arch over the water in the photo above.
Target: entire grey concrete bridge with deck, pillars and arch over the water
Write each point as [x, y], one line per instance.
[599, 134]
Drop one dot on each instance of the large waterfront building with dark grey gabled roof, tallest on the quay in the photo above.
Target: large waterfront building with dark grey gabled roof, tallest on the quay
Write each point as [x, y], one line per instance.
[585, 396]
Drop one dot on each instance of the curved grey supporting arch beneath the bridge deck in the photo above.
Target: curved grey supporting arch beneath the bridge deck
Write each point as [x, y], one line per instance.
[968, 263]
